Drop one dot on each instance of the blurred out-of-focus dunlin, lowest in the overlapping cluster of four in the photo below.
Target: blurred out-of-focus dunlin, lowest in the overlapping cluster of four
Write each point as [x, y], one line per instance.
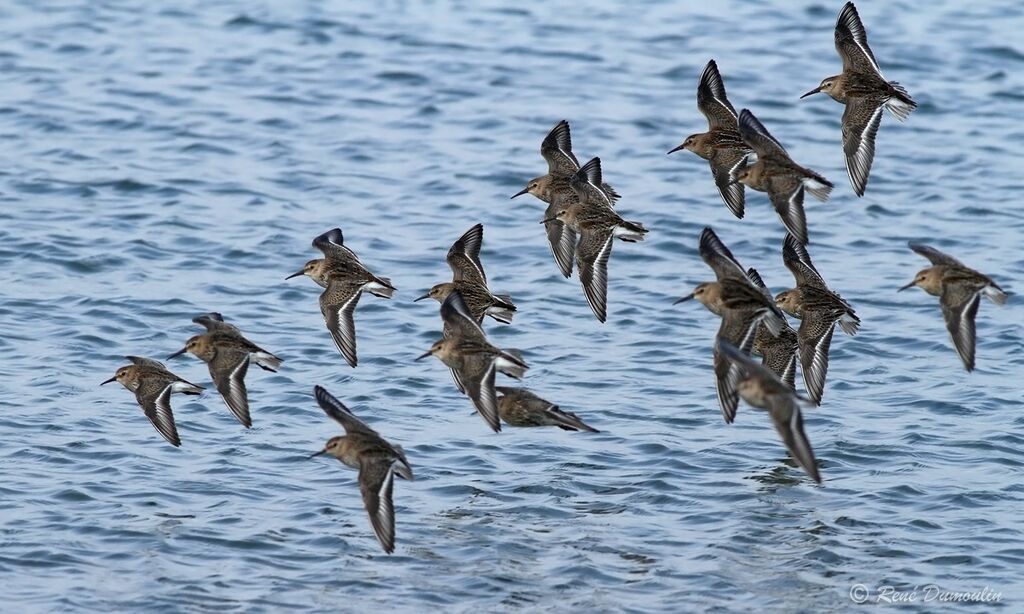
[762, 389]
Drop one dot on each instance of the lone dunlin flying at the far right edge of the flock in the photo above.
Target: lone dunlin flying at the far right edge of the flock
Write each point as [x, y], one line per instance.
[960, 289]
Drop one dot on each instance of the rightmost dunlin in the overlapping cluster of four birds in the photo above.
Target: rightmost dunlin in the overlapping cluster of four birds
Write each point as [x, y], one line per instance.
[819, 310]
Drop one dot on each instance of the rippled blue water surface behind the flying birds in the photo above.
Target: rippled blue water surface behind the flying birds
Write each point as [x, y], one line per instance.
[160, 163]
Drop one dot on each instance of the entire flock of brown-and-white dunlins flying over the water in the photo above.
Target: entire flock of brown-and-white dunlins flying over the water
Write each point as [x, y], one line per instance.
[582, 225]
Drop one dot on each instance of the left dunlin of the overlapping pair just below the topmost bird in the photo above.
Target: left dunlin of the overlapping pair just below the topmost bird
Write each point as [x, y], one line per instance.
[721, 146]
